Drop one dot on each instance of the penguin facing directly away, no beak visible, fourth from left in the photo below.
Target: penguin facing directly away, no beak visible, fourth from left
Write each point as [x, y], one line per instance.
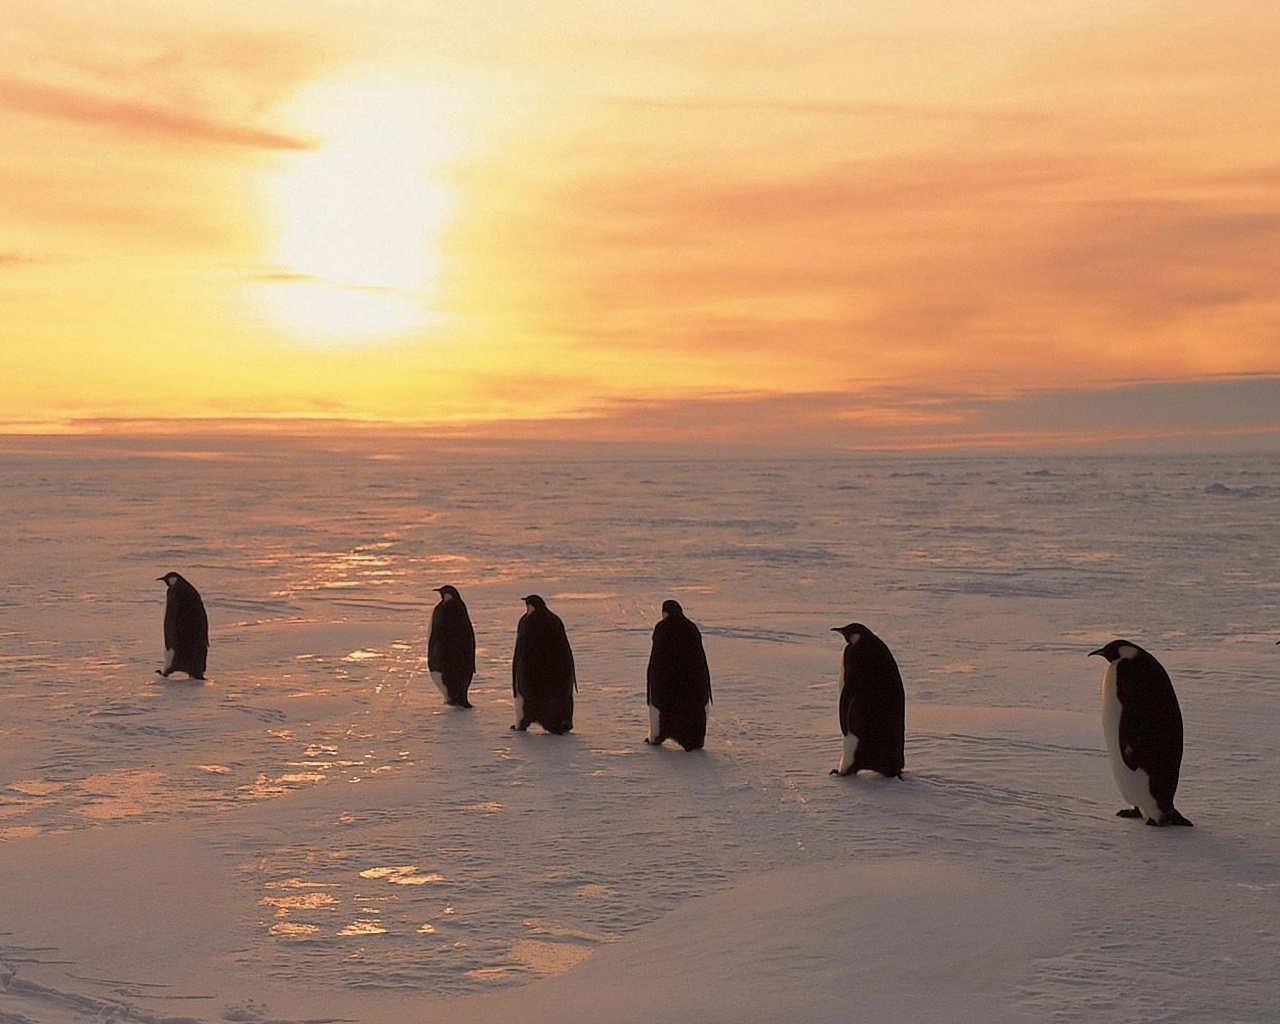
[679, 687]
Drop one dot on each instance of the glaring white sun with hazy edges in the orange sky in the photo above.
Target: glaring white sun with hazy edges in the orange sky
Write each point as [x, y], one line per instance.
[356, 221]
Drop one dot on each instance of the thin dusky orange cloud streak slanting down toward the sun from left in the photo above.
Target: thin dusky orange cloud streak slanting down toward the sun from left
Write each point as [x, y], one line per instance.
[86, 108]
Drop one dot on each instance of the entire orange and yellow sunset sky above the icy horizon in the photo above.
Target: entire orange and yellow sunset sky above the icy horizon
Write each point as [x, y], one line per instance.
[862, 225]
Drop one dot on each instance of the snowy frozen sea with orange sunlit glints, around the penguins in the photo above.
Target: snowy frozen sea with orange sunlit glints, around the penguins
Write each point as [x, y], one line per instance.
[310, 835]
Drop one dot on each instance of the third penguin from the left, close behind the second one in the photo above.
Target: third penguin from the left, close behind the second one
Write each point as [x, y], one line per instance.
[543, 679]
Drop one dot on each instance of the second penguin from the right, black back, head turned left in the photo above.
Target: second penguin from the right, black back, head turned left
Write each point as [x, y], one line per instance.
[872, 706]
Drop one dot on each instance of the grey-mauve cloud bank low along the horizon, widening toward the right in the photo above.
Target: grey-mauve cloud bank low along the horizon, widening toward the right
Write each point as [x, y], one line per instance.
[1210, 413]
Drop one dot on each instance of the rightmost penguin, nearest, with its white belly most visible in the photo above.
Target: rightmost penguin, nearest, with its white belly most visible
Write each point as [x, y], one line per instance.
[1144, 728]
